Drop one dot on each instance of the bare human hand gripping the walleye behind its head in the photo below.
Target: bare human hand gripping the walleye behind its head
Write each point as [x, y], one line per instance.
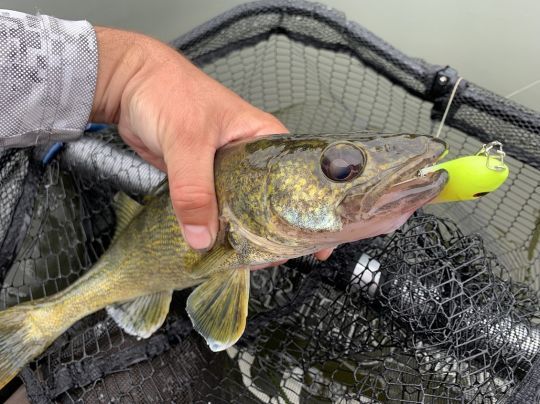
[175, 117]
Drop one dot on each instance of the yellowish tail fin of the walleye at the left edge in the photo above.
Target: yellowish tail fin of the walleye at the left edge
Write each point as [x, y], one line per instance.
[21, 340]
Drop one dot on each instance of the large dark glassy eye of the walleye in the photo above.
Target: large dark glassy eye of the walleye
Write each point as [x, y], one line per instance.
[342, 162]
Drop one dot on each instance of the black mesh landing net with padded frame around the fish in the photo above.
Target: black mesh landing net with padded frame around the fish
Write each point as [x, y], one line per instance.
[444, 310]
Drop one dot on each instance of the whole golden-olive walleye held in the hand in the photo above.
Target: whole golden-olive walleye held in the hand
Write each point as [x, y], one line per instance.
[279, 197]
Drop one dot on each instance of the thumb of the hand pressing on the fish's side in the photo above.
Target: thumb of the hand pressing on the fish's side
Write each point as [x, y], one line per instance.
[190, 169]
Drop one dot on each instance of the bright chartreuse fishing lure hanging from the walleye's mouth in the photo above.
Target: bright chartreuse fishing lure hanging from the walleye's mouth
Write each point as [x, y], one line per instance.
[472, 177]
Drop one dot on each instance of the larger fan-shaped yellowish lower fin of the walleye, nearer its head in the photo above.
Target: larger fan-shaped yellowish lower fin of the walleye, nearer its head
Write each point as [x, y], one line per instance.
[218, 308]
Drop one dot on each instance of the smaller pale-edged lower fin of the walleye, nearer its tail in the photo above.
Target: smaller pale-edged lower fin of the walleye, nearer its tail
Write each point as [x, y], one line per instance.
[143, 316]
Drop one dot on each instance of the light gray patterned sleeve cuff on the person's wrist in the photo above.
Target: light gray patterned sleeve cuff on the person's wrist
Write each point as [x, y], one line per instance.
[48, 70]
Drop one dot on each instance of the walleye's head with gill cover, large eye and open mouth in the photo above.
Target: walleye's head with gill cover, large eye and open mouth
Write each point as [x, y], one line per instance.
[323, 190]
